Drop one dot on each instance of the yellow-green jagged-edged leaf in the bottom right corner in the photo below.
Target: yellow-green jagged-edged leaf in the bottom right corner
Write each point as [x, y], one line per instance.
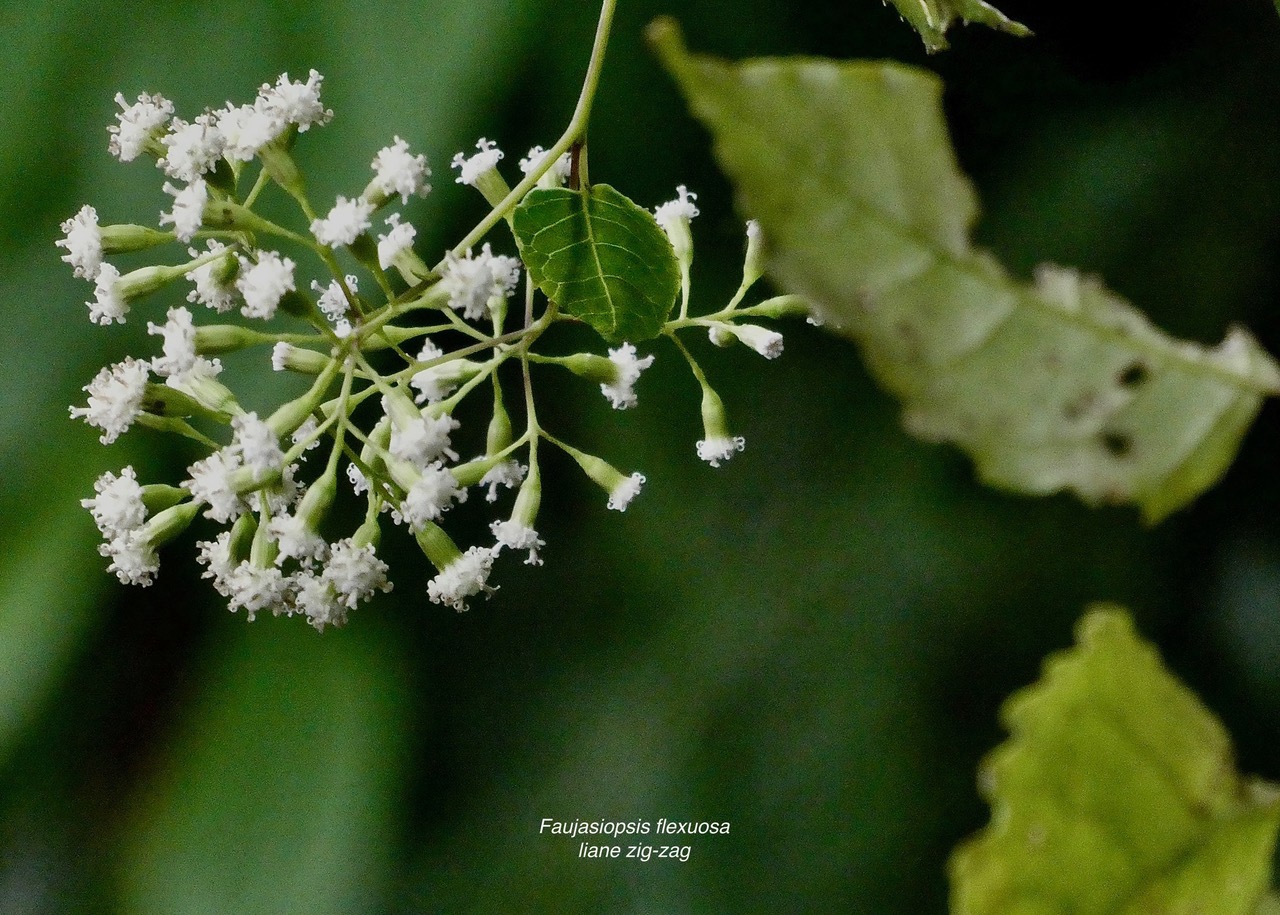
[1116, 794]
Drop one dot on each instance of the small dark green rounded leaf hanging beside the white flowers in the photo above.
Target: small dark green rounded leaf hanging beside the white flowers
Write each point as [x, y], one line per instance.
[600, 258]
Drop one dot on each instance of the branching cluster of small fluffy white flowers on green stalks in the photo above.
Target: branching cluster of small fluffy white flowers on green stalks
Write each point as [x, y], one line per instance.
[392, 350]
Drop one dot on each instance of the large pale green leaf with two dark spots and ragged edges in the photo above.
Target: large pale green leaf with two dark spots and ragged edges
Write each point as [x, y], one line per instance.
[1060, 386]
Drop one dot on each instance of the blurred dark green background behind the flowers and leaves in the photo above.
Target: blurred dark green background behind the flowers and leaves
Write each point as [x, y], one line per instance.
[810, 643]
